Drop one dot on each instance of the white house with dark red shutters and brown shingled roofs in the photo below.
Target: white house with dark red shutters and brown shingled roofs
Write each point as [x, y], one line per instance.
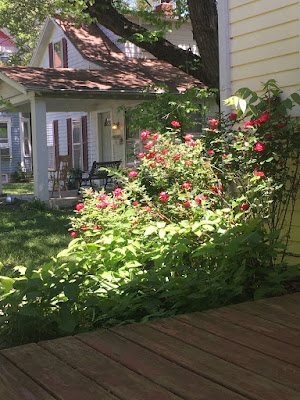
[77, 79]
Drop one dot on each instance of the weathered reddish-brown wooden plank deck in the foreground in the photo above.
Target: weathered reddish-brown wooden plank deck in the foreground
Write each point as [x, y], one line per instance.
[245, 351]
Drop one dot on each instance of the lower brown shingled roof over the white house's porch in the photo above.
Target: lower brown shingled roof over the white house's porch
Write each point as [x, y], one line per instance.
[116, 78]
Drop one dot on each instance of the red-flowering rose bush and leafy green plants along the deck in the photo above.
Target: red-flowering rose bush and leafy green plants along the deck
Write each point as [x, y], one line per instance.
[184, 231]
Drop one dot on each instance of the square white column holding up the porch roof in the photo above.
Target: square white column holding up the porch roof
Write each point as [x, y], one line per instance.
[39, 149]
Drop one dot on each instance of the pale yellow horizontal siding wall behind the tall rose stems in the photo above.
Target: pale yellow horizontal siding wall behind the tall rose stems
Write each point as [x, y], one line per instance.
[264, 44]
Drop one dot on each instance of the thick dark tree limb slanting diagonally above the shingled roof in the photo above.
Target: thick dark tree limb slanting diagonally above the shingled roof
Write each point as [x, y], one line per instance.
[107, 15]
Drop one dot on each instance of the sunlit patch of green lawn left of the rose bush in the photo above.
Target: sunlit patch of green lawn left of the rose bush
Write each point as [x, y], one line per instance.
[30, 235]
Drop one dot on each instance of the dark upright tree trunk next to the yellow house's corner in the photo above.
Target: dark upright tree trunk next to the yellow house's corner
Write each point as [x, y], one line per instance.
[204, 18]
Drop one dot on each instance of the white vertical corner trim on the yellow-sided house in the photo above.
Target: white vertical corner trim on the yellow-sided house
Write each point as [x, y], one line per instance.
[224, 52]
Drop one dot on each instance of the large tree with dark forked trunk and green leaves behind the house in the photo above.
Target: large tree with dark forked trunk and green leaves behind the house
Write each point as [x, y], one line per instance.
[113, 14]
